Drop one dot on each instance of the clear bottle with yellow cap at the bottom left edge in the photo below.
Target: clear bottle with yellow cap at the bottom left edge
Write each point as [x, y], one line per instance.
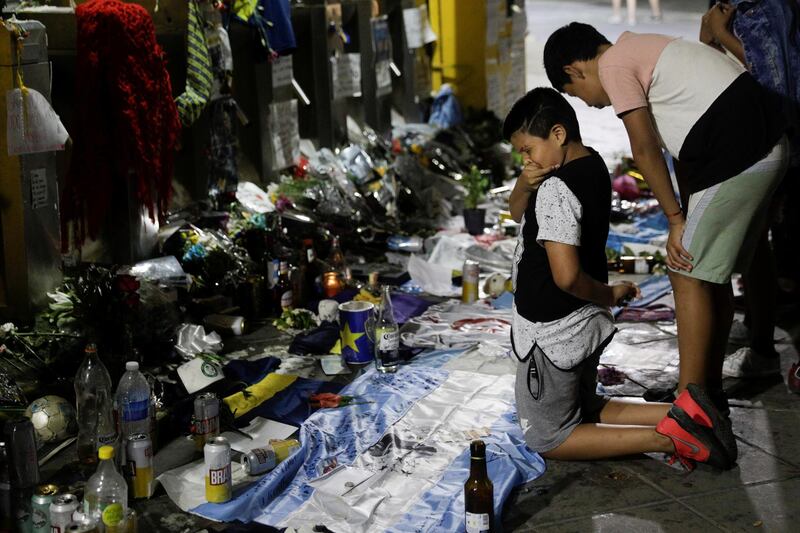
[106, 495]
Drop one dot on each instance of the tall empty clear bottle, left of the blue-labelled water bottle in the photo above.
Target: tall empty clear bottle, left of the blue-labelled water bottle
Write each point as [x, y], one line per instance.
[95, 403]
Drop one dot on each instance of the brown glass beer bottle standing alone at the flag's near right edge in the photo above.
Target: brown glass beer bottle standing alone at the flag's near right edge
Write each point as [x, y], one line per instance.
[478, 492]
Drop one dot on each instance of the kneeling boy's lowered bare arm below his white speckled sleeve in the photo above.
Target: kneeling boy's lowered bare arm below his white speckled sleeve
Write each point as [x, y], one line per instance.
[570, 278]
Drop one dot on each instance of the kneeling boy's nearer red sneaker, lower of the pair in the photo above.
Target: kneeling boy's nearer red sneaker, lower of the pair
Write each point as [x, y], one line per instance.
[692, 440]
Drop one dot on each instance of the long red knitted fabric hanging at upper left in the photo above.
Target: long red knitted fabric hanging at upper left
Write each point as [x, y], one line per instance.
[126, 124]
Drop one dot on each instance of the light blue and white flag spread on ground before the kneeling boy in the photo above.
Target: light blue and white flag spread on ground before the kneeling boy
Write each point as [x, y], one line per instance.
[400, 462]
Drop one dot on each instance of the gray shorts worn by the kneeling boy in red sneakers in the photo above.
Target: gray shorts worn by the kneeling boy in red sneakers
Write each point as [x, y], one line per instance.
[552, 401]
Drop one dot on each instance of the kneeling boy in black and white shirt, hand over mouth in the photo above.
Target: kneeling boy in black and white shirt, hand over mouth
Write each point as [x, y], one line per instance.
[561, 321]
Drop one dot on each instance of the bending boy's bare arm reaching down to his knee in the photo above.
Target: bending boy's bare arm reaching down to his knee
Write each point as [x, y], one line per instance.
[650, 161]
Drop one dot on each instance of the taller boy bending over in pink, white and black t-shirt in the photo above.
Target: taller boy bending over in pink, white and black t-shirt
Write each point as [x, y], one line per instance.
[727, 135]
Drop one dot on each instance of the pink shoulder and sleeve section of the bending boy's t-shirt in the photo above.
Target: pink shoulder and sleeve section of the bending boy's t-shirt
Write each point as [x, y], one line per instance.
[626, 69]
